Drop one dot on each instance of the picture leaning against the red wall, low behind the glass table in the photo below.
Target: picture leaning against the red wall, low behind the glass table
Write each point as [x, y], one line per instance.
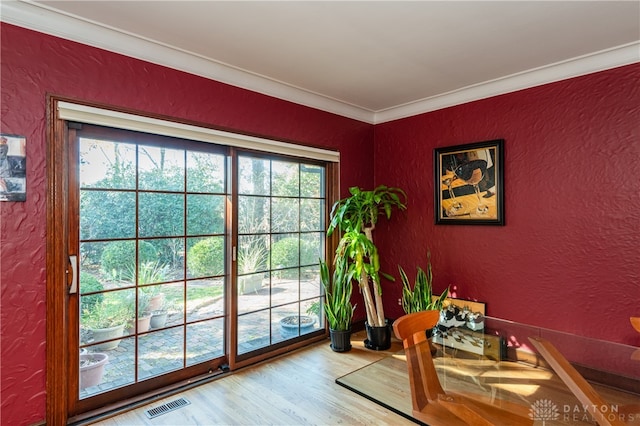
[461, 327]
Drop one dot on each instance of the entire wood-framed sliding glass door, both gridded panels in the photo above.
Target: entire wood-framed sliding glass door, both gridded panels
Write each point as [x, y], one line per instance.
[188, 255]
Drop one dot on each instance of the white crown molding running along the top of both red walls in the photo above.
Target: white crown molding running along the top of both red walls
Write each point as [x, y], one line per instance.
[40, 18]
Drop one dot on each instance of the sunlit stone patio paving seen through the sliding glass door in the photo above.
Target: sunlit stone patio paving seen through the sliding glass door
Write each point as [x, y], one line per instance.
[162, 351]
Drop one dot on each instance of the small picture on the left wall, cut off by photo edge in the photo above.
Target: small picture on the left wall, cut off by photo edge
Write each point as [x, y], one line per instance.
[13, 168]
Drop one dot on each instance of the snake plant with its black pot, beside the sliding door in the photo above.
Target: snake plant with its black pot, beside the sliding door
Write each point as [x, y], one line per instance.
[337, 307]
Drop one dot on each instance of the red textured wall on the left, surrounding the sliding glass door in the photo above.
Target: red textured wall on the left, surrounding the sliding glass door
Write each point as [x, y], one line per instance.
[34, 65]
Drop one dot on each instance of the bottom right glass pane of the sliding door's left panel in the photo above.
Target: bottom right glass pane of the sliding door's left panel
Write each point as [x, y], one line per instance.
[205, 341]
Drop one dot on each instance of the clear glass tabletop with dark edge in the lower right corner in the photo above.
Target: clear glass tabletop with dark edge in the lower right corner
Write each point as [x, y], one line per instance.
[498, 364]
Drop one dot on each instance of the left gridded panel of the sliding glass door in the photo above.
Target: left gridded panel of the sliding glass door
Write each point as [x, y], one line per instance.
[152, 258]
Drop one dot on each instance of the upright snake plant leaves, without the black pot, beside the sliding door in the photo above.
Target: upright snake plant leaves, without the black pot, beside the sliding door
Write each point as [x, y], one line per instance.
[337, 293]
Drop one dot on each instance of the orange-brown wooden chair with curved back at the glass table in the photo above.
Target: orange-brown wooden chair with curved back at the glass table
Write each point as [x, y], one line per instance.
[431, 404]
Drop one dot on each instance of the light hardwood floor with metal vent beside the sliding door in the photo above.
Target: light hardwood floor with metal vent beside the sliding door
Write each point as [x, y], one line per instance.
[296, 389]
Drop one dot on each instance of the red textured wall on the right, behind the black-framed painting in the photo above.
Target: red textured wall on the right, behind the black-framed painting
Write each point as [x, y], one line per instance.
[568, 257]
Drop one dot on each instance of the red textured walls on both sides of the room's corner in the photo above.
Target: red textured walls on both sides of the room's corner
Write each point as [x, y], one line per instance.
[566, 259]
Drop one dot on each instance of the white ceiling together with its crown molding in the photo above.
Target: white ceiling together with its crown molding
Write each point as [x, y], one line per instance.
[374, 61]
